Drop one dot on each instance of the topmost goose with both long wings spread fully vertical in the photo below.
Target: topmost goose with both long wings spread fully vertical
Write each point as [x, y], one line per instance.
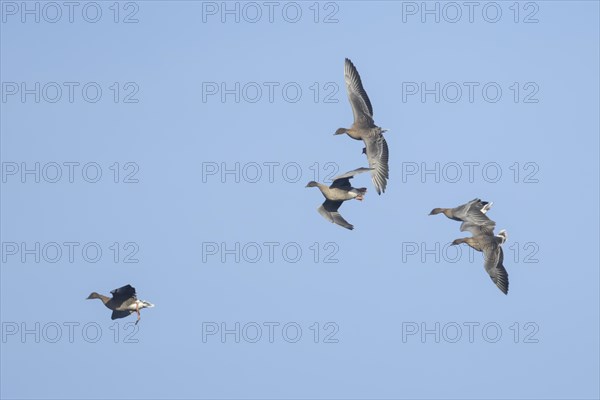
[364, 128]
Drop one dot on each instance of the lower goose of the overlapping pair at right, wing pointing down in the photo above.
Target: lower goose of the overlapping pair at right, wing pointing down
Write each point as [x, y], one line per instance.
[493, 256]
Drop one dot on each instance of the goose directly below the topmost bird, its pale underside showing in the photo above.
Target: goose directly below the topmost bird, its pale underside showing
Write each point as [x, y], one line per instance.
[339, 191]
